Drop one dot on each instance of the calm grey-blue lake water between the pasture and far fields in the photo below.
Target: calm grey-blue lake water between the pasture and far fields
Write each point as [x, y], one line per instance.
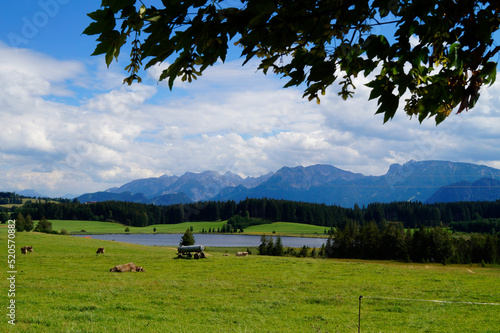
[207, 240]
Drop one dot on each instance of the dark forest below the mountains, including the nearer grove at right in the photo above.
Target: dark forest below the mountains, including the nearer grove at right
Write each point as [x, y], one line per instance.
[409, 231]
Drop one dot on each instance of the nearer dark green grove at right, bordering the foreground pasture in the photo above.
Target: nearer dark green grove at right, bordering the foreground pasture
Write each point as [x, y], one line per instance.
[426, 244]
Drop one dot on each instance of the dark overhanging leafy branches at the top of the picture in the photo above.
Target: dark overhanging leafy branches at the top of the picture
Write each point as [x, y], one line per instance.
[438, 55]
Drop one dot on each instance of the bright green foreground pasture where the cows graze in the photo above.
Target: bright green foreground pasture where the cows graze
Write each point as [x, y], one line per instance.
[65, 287]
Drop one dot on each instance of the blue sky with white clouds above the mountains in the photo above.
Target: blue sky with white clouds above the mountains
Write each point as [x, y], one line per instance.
[69, 126]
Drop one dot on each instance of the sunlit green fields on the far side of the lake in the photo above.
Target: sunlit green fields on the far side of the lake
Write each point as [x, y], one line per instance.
[93, 227]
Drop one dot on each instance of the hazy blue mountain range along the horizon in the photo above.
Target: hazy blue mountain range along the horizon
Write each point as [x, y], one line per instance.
[425, 181]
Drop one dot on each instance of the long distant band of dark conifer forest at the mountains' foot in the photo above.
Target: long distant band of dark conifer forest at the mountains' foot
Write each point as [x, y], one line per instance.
[482, 217]
